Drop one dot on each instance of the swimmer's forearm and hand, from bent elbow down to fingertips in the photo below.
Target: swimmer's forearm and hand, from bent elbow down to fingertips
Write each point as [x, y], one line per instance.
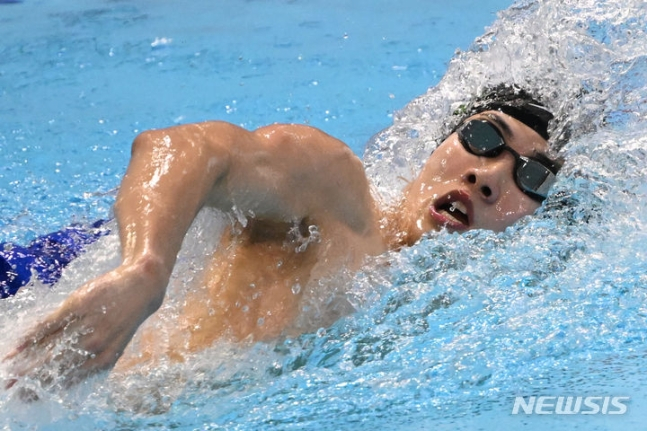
[170, 175]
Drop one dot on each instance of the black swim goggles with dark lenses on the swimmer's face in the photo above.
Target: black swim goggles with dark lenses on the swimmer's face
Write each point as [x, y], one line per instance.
[533, 176]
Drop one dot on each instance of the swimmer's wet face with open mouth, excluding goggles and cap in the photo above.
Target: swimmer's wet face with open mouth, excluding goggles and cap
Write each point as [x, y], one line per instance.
[461, 191]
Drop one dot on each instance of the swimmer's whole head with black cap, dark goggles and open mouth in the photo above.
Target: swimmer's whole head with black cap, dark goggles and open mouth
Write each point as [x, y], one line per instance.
[492, 169]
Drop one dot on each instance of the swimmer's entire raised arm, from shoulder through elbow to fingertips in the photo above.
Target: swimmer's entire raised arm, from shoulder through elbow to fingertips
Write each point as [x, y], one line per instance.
[285, 172]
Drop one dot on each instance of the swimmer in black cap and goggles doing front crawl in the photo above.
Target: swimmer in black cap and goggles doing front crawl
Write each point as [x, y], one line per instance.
[310, 214]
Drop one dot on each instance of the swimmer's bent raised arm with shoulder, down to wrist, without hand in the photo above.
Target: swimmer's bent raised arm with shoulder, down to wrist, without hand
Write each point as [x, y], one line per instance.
[279, 172]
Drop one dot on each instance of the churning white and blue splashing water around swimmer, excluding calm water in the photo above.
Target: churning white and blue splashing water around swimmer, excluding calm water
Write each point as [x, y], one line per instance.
[457, 325]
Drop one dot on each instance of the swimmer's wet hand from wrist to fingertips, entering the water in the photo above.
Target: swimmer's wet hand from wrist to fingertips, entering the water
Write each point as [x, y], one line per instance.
[89, 331]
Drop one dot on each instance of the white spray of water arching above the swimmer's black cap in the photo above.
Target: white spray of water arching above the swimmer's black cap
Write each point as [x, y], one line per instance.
[582, 58]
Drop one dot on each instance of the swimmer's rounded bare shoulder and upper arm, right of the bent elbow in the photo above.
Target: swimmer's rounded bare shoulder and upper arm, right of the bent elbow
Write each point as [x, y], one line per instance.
[288, 172]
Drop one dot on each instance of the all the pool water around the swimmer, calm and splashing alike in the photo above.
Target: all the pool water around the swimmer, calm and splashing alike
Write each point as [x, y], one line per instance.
[449, 331]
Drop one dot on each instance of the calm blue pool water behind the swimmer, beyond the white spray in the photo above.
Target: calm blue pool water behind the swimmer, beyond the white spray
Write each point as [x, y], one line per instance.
[77, 82]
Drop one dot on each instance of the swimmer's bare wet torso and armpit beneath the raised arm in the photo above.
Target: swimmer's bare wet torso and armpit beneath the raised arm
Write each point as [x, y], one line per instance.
[254, 285]
